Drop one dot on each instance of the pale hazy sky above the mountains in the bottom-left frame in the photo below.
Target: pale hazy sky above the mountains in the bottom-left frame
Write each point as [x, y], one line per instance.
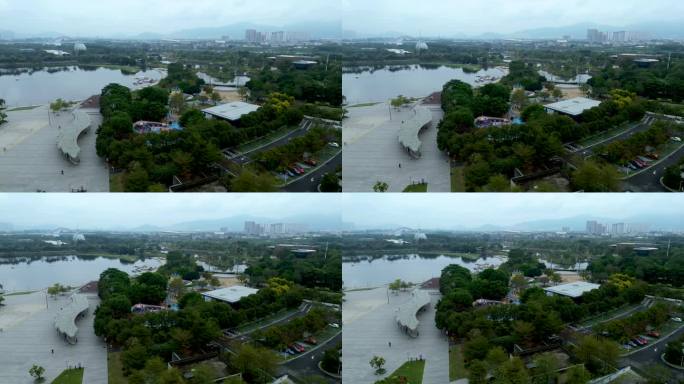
[102, 211]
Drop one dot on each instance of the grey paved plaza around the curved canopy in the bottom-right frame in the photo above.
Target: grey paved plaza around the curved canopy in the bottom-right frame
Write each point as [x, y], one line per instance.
[369, 327]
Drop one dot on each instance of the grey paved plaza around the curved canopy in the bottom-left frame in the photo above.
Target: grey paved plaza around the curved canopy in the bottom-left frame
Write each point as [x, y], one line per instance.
[32, 340]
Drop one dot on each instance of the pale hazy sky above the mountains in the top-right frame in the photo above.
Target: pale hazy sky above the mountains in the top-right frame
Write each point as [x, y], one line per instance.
[473, 17]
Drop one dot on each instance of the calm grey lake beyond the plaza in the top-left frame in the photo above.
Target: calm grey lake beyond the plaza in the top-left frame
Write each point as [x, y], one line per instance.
[42, 87]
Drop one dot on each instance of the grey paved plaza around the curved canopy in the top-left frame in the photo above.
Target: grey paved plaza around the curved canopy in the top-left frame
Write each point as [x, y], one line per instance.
[30, 160]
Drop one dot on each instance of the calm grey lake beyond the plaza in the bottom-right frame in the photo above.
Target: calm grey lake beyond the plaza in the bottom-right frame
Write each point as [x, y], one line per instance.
[412, 268]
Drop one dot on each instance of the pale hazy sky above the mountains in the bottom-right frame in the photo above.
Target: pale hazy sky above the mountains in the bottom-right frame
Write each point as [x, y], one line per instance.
[448, 211]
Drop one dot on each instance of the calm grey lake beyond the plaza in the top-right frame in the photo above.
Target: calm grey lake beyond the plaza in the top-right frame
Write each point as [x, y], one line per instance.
[412, 81]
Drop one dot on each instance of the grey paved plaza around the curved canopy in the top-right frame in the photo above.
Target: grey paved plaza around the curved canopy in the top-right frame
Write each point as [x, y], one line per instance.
[372, 152]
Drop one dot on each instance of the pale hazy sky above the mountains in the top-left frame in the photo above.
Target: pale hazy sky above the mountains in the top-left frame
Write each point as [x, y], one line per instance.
[130, 17]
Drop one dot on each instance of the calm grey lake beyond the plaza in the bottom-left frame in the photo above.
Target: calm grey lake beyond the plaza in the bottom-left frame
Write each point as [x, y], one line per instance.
[43, 272]
